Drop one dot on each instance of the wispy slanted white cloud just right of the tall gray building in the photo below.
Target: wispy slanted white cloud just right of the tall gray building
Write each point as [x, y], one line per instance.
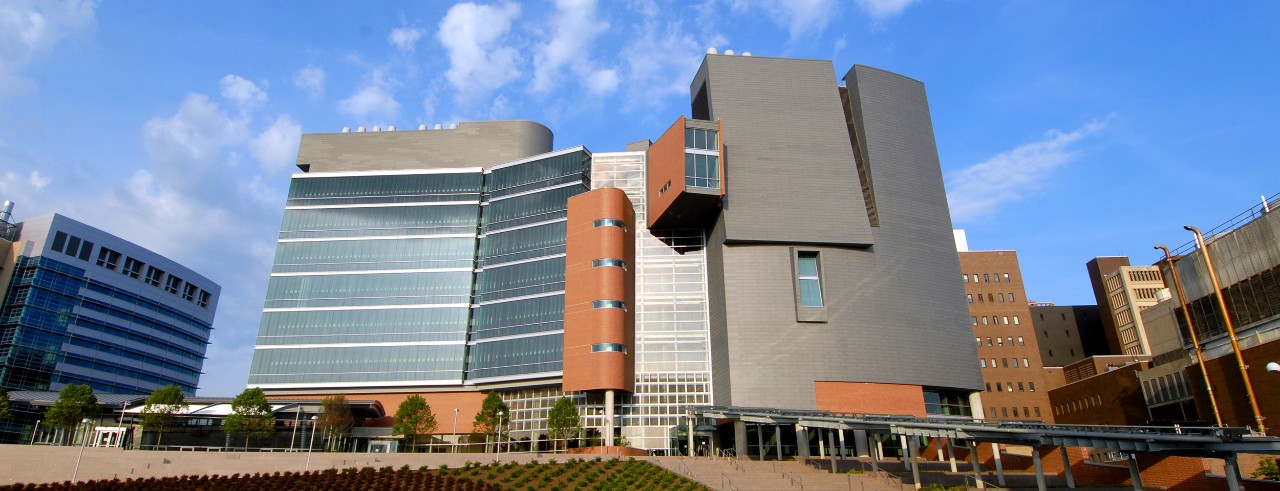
[1013, 176]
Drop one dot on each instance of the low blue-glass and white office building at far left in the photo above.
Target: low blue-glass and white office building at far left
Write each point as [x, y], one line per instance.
[83, 306]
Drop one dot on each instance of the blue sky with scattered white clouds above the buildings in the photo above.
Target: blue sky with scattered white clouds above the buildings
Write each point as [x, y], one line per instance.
[1066, 130]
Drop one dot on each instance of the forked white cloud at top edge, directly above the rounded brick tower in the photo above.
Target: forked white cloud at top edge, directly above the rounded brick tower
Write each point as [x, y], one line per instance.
[575, 29]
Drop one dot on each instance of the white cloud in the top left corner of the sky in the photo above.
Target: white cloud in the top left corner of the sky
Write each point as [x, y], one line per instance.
[30, 29]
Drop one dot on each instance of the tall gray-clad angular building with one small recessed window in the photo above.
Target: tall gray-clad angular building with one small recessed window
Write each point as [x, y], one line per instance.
[840, 187]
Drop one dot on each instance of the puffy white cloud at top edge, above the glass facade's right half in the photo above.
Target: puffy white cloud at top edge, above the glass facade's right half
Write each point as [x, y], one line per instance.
[474, 38]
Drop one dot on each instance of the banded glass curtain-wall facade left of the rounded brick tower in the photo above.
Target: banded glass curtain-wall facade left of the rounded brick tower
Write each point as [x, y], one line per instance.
[420, 278]
